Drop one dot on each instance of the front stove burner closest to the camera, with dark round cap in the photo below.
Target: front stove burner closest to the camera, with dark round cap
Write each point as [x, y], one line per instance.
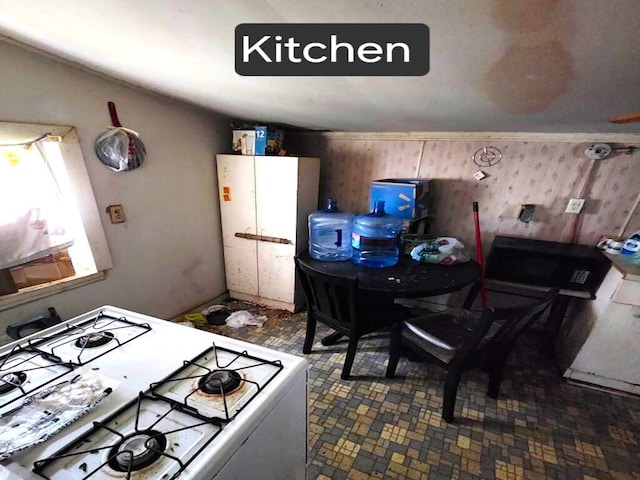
[137, 451]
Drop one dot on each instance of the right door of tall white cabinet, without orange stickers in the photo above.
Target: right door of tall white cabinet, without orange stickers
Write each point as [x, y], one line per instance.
[276, 200]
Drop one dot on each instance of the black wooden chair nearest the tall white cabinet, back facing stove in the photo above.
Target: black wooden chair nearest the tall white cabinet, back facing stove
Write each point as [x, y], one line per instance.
[337, 303]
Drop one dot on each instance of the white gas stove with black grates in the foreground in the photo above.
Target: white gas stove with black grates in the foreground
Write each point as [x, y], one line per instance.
[190, 404]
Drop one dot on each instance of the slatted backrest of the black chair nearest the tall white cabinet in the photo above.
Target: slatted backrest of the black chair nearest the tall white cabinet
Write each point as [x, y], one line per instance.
[330, 300]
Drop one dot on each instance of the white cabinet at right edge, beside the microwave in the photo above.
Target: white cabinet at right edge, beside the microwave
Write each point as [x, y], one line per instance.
[599, 342]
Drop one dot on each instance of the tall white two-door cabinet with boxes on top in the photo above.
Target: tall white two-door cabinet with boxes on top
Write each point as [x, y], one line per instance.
[264, 205]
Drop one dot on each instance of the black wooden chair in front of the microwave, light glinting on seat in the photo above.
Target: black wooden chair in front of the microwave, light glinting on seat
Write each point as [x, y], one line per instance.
[463, 340]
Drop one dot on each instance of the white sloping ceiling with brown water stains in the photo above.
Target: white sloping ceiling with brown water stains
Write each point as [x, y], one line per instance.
[496, 65]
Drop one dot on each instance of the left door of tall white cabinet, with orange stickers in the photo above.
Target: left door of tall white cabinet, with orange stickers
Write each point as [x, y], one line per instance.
[236, 184]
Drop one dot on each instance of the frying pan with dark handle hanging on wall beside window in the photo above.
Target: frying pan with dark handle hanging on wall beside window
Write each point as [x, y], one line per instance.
[120, 148]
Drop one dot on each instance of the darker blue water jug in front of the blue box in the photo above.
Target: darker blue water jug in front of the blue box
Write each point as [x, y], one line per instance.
[375, 238]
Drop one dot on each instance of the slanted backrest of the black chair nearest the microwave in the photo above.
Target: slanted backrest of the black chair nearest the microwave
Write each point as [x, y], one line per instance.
[510, 322]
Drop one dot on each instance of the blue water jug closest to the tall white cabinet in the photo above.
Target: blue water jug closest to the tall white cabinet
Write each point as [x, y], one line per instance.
[330, 233]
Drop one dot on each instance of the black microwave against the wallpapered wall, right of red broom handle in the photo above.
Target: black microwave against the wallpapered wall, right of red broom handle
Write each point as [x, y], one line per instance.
[550, 264]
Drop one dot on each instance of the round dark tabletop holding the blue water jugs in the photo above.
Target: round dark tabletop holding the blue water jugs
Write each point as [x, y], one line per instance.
[406, 279]
